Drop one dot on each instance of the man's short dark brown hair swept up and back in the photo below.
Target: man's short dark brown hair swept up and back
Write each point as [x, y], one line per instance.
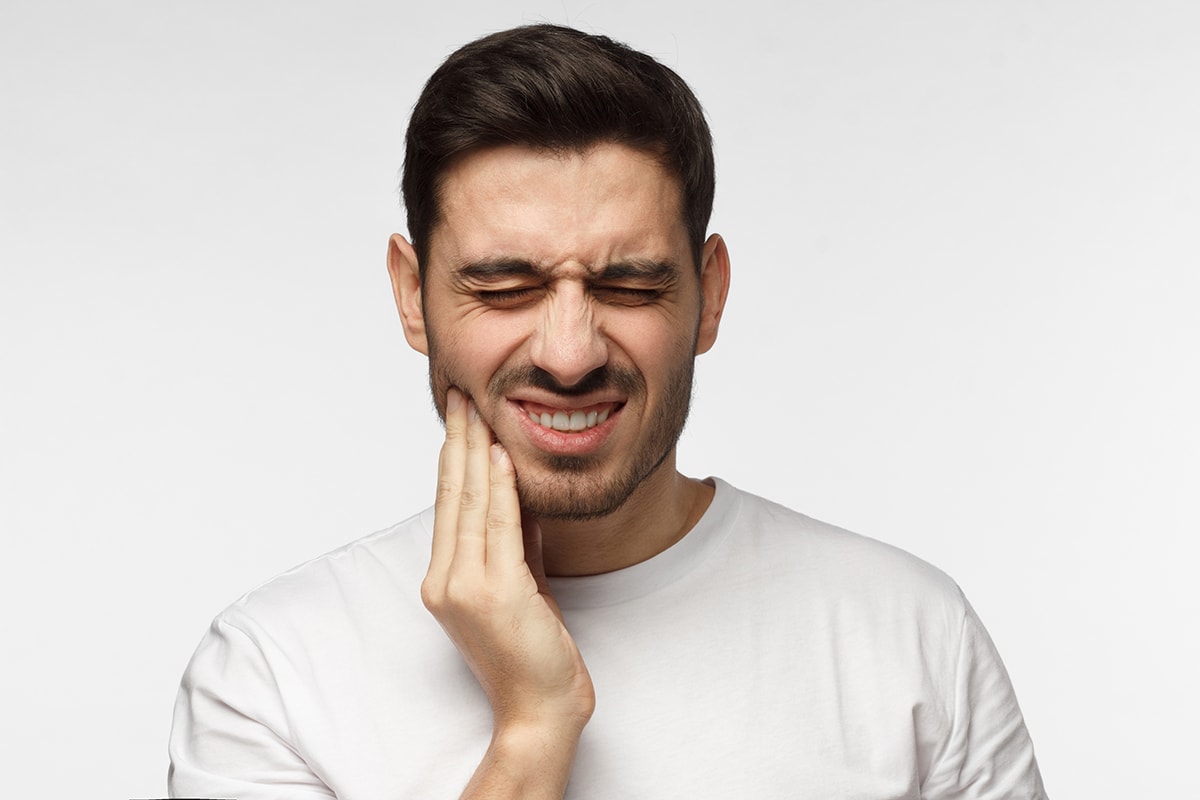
[555, 88]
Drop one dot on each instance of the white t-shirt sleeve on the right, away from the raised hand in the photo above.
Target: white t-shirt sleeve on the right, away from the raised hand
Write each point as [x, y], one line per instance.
[988, 755]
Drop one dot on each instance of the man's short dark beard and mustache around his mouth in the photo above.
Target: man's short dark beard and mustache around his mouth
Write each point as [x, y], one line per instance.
[580, 488]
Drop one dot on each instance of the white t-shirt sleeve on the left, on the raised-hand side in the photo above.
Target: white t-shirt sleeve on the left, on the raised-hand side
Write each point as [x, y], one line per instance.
[231, 735]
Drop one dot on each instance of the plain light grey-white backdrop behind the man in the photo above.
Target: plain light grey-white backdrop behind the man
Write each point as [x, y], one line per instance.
[964, 320]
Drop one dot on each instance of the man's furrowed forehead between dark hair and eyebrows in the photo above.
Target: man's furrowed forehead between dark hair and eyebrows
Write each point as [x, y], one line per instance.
[608, 203]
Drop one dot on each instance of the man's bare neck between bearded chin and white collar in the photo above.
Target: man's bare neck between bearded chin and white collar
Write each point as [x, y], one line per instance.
[659, 513]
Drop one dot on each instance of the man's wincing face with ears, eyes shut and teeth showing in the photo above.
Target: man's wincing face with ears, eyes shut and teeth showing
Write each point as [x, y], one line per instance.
[562, 297]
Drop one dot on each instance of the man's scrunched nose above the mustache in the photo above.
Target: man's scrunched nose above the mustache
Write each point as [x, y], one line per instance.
[568, 342]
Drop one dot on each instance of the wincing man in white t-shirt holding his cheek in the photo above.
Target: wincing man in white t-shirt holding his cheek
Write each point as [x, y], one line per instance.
[574, 616]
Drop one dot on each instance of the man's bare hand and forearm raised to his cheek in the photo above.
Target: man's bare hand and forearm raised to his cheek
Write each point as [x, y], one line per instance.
[488, 590]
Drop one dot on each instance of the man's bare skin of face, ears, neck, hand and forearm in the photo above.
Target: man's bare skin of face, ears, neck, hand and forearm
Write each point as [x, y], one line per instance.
[556, 282]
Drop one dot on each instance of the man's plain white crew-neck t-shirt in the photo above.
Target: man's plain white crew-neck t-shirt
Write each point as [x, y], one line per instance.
[765, 655]
